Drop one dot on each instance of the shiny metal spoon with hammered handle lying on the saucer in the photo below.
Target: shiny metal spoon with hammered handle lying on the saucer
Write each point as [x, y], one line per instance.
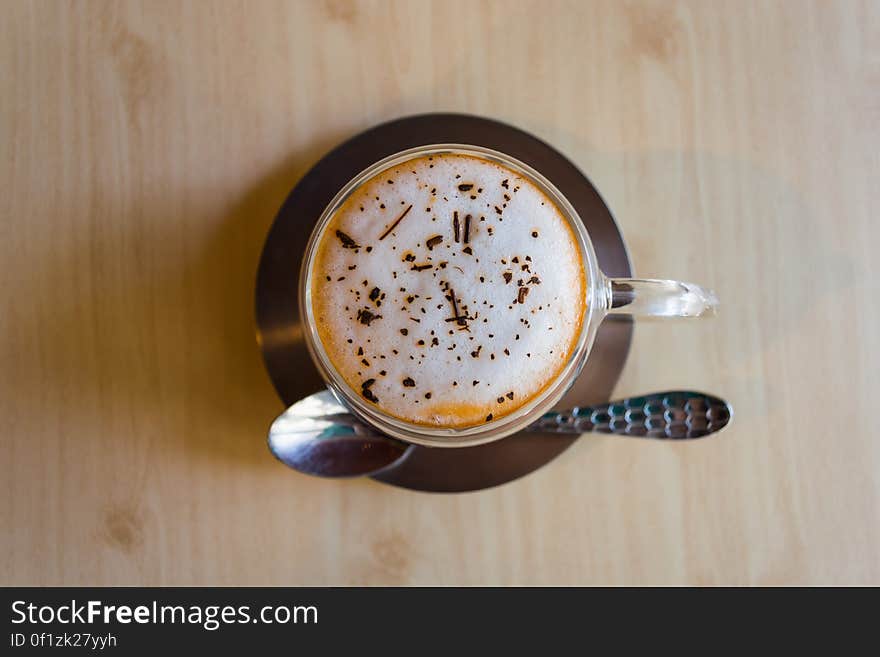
[319, 436]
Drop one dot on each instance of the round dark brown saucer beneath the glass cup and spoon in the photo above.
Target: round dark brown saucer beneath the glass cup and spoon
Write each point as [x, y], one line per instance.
[278, 324]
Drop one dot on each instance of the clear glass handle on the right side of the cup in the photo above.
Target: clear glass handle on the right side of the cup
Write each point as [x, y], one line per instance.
[646, 297]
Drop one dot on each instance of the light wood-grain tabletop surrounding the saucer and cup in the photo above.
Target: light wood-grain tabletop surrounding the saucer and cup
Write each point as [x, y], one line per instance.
[145, 147]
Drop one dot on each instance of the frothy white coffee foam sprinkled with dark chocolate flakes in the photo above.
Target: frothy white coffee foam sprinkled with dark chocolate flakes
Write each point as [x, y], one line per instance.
[448, 290]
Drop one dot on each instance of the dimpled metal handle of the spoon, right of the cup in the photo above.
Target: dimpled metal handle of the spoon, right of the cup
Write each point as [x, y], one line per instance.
[677, 415]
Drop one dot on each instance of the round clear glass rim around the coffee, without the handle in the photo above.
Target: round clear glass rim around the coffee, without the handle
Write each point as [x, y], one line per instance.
[496, 428]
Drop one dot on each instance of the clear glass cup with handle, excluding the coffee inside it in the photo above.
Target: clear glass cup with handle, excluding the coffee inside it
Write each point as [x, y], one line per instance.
[603, 296]
